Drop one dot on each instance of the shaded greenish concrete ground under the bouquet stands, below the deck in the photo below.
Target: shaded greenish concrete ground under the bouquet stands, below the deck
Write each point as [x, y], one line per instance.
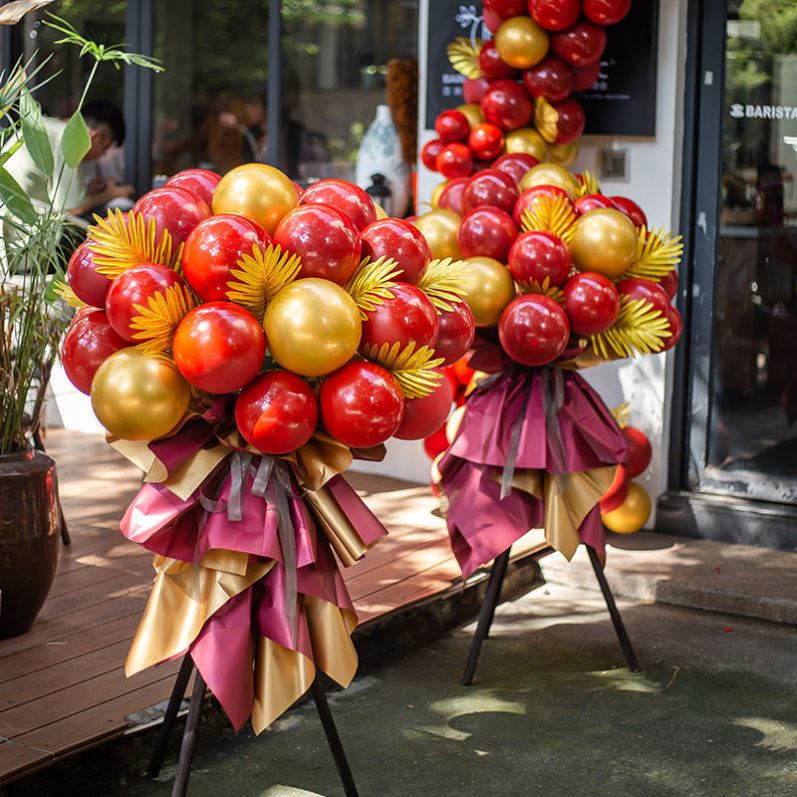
[553, 712]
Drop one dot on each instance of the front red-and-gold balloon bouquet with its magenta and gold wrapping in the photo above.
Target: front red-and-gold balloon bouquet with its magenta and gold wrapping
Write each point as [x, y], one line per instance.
[242, 340]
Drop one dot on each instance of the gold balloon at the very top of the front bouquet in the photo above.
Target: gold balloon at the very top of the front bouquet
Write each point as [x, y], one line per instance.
[259, 192]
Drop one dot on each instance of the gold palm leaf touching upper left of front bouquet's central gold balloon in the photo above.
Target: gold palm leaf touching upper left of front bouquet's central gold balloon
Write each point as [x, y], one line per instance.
[260, 276]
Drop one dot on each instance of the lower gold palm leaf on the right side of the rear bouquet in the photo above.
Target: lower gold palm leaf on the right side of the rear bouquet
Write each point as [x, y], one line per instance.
[639, 329]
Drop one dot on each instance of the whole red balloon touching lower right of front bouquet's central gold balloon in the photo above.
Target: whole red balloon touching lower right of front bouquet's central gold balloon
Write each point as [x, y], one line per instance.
[361, 404]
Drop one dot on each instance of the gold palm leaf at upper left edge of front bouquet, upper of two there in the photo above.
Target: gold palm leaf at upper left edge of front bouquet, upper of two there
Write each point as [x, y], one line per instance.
[119, 244]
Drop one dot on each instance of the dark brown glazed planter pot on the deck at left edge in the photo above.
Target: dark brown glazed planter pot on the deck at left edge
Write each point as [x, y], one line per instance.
[29, 529]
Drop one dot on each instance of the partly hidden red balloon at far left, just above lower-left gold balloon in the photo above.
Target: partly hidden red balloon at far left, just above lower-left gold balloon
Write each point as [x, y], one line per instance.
[88, 342]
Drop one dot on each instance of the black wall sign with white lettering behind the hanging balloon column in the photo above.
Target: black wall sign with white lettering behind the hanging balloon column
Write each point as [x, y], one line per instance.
[622, 102]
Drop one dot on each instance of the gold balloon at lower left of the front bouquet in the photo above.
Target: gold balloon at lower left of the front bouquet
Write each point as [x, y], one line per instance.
[139, 397]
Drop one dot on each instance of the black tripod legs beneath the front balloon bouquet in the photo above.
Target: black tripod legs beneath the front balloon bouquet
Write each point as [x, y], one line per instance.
[188, 745]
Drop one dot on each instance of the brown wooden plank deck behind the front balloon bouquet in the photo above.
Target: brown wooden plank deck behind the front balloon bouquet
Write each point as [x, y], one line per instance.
[62, 687]
